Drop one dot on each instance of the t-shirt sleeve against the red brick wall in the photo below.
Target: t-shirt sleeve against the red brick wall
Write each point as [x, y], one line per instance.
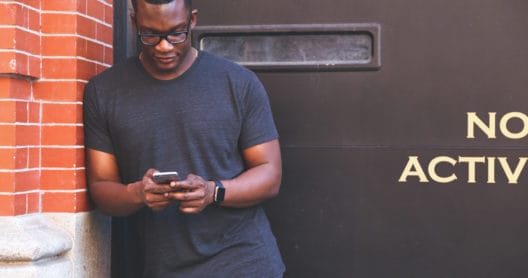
[96, 132]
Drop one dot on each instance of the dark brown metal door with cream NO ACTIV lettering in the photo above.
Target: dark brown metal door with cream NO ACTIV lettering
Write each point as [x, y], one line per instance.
[382, 177]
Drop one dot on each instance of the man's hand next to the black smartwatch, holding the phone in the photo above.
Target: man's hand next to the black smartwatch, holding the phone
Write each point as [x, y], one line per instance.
[194, 193]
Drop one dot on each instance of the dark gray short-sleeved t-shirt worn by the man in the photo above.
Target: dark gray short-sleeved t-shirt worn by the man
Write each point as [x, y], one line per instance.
[197, 123]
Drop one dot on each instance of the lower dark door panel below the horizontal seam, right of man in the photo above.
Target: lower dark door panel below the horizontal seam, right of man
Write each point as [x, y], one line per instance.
[340, 213]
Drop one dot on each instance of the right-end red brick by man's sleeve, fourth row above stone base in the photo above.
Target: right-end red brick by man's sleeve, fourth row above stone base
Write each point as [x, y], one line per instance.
[62, 135]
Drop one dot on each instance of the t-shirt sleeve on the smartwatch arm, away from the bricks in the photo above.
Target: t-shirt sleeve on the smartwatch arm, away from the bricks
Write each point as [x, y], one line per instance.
[258, 125]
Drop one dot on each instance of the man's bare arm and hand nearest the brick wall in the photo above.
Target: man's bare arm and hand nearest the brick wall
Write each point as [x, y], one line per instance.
[110, 195]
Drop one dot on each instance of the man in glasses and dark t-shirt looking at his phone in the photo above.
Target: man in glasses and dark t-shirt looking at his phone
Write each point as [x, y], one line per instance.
[174, 108]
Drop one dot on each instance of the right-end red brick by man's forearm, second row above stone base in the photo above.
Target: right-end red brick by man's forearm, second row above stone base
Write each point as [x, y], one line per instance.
[62, 179]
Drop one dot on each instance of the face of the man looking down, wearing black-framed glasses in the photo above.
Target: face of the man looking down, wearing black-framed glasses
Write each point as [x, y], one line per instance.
[165, 60]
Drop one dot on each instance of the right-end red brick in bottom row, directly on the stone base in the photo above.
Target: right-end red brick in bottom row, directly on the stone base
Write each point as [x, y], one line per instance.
[64, 201]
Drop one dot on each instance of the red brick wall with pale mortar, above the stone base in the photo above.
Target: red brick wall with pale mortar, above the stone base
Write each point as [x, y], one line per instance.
[48, 51]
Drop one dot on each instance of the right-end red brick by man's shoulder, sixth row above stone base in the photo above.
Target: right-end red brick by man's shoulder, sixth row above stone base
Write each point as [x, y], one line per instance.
[59, 91]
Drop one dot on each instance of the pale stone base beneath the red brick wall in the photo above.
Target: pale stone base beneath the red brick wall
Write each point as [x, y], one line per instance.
[55, 245]
